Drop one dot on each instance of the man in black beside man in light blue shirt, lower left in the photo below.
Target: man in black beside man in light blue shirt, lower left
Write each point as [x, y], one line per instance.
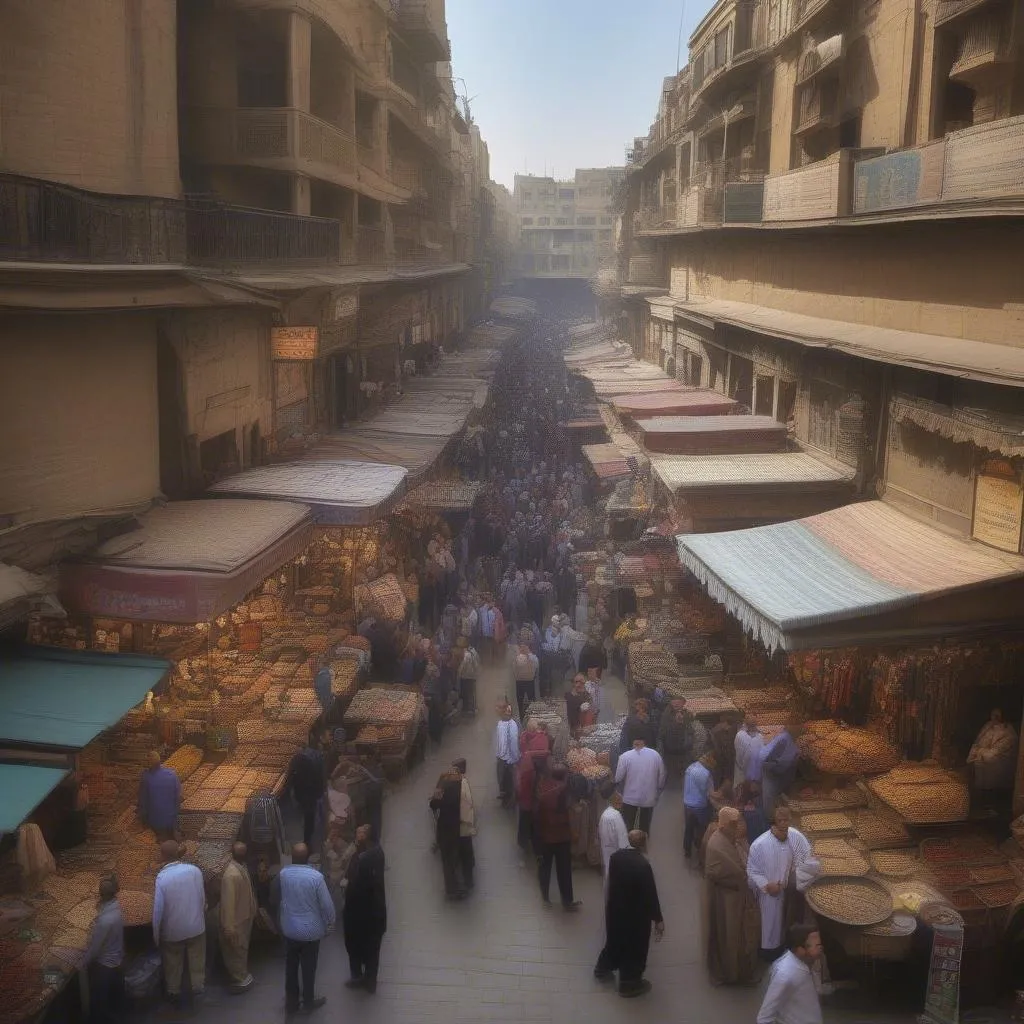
[365, 916]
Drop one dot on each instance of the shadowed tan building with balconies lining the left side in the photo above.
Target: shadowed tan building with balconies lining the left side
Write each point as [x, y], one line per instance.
[182, 184]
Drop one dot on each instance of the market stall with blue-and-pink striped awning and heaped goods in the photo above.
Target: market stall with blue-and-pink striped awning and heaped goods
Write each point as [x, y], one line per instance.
[891, 668]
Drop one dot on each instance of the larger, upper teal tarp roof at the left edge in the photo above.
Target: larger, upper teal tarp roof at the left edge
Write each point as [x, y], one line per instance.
[65, 699]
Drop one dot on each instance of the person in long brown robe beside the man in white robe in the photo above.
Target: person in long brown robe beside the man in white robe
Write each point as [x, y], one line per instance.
[731, 932]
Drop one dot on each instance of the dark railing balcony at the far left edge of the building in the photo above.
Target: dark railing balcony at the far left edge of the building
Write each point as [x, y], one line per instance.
[44, 222]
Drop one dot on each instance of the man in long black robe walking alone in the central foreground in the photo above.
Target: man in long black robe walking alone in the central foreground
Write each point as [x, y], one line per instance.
[631, 909]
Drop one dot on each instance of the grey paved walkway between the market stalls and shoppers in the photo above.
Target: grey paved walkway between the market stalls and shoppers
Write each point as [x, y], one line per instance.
[500, 956]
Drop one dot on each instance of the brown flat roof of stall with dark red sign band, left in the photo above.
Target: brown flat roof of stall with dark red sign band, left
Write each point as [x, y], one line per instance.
[210, 536]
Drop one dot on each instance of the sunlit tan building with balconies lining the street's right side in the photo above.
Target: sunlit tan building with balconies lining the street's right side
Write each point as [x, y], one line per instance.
[825, 223]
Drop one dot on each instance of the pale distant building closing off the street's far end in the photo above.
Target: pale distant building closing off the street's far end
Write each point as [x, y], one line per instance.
[567, 229]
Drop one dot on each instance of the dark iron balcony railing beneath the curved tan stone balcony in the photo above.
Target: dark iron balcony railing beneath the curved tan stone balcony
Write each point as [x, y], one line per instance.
[226, 236]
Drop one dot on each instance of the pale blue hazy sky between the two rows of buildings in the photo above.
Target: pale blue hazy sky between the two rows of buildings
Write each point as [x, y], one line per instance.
[561, 84]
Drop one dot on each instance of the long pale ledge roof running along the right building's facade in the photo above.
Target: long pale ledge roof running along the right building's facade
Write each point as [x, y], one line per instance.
[982, 361]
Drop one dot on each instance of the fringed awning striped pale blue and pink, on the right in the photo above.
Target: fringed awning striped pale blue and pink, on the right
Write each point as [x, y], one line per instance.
[854, 563]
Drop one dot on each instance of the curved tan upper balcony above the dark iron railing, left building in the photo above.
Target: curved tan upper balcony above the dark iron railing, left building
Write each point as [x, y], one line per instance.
[275, 138]
